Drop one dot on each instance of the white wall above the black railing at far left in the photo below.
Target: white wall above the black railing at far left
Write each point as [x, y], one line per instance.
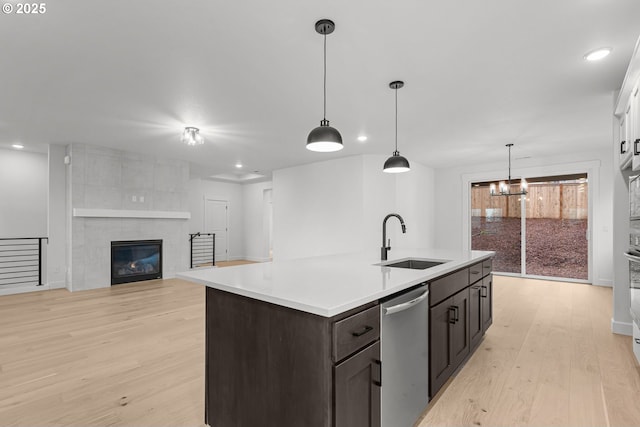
[23, 193]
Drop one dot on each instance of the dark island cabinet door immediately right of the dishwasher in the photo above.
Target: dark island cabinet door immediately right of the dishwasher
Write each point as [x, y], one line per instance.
[441, 320]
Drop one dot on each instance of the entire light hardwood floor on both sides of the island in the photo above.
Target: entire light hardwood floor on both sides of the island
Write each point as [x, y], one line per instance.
[134, 355]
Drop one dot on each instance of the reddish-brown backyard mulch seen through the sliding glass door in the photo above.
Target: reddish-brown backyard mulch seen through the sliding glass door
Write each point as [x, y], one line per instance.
[555, 247]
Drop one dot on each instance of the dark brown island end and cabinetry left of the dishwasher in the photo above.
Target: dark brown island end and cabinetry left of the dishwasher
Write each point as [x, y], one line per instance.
[273, 366]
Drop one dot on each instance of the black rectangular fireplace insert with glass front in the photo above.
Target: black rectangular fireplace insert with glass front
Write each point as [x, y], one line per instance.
[136, 260]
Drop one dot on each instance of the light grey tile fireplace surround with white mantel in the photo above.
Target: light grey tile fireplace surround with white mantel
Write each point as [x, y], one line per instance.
[101, 185]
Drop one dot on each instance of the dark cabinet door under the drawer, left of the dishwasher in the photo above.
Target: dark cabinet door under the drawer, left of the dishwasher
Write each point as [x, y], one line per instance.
[357, 389]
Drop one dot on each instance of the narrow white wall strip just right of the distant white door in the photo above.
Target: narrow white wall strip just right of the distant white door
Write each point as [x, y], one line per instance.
[257, 202]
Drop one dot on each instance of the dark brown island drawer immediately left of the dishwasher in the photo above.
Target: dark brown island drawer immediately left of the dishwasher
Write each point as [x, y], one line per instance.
[355, 332]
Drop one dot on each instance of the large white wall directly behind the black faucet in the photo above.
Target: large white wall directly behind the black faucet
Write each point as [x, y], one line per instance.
[337, 206]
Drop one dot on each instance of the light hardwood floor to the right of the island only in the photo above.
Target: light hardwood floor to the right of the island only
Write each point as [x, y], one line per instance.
[549, 359]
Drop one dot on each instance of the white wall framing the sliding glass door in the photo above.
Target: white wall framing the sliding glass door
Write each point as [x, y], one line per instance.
[451, 202]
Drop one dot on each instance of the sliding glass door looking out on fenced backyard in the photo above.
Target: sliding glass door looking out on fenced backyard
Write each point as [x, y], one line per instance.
[551, 238]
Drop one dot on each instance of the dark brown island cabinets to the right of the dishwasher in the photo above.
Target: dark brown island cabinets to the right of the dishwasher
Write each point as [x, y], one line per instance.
[460, 313]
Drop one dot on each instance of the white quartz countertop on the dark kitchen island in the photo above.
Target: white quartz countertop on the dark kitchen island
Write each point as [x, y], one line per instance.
[329, 285]
